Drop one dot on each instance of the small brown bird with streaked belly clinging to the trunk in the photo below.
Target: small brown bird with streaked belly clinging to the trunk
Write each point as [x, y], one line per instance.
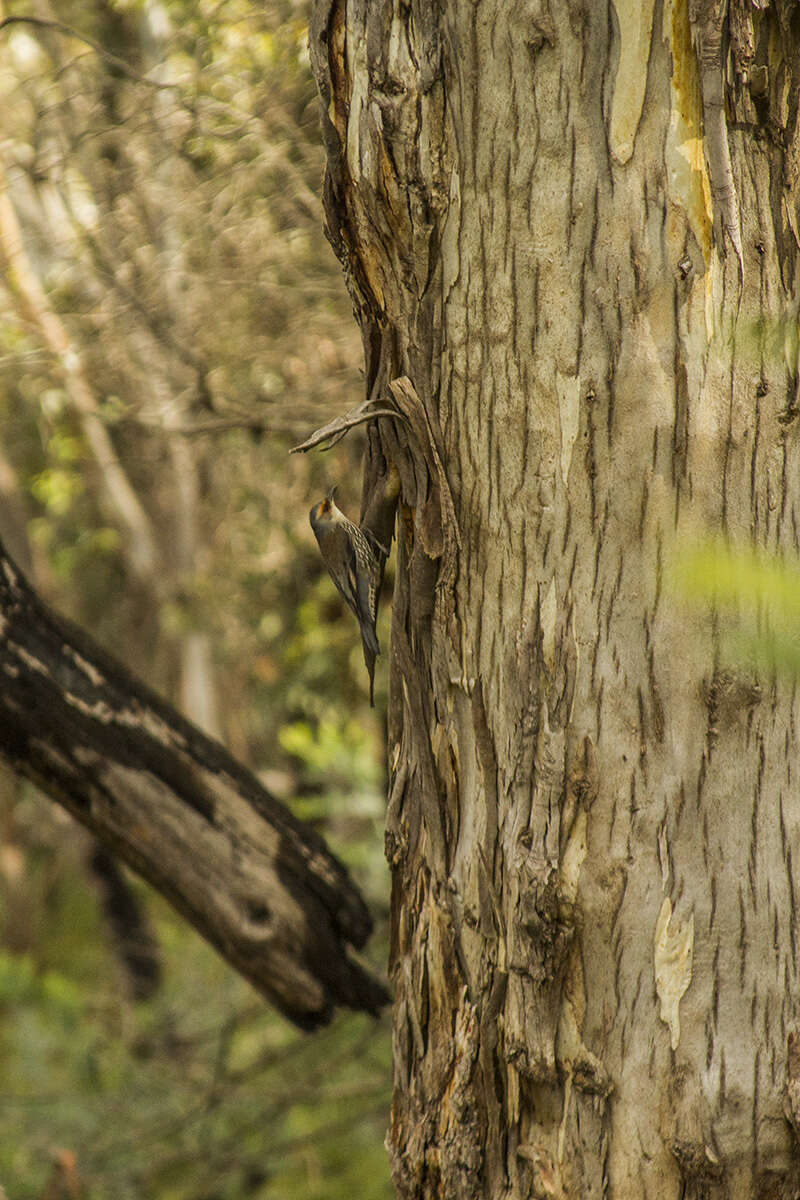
[356, 562]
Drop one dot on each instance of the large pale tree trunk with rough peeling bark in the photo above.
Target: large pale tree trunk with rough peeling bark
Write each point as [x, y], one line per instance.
[576, 274]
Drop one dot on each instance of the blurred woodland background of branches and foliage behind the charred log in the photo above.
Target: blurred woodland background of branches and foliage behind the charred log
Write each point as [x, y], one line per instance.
[172, 322]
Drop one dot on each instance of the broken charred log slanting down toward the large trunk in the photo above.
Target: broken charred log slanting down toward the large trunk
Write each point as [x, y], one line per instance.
[176, 807]
